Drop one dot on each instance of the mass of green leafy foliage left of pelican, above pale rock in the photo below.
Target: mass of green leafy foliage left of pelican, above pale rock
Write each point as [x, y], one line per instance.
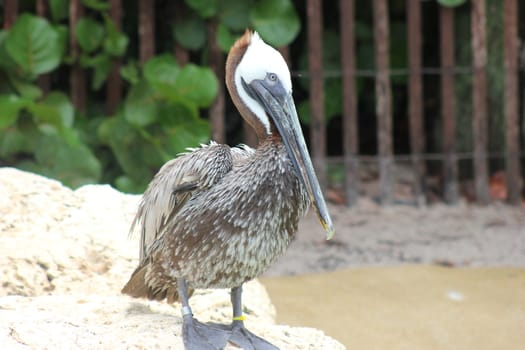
[43, 133]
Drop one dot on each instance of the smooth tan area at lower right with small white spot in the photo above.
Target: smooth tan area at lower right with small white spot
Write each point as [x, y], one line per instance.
[408, 307]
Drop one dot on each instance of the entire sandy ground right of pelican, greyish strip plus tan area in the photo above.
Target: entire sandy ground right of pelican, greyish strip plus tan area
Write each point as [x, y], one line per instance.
[439, 277]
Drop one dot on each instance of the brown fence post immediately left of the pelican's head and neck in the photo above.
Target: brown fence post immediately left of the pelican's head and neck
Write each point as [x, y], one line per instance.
[217, 109]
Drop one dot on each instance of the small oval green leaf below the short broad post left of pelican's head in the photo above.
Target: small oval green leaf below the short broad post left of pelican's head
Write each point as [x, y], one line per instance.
[141, 106]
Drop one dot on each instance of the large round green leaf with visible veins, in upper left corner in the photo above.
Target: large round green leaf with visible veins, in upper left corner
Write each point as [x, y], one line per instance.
[34, 45]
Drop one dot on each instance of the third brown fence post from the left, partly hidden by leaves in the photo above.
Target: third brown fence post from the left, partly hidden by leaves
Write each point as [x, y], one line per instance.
[77, 78]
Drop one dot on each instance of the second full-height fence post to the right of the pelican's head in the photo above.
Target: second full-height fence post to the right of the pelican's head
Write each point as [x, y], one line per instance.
[350, 124]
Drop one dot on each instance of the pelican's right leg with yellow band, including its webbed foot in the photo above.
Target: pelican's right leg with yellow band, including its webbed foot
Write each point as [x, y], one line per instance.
[240, 336]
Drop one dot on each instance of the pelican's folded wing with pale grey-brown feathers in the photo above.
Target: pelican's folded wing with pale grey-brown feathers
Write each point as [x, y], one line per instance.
[173, 185]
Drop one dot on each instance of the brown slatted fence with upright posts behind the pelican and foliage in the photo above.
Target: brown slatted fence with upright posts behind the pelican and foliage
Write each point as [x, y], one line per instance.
[383, 93]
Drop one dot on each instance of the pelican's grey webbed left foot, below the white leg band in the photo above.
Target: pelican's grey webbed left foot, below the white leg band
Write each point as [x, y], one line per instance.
[197, 335]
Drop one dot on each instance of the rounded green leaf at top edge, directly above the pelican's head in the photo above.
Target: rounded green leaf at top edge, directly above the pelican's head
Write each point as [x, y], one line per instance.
[276, 21]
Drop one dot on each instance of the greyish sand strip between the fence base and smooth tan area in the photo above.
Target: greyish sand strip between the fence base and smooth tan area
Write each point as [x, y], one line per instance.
[462, 235]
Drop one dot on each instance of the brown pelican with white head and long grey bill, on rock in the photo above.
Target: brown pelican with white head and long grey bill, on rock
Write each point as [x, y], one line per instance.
[216, 217]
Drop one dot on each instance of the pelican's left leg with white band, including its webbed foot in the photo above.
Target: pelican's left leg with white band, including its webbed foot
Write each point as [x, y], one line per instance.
[197, 335]
